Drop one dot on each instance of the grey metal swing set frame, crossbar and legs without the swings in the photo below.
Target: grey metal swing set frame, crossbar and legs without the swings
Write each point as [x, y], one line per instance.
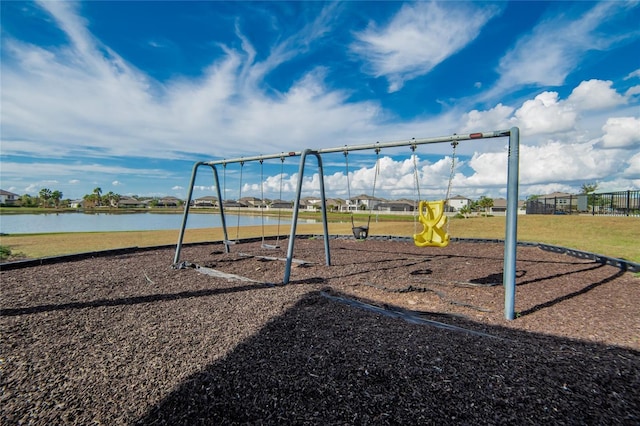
[509, 270]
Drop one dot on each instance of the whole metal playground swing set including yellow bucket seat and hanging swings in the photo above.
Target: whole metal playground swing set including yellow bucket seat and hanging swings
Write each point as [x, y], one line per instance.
[431, 214]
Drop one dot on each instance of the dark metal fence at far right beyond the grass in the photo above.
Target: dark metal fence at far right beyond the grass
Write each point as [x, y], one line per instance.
[621, 203]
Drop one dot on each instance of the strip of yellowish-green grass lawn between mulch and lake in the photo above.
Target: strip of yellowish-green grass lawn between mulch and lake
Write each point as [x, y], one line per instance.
[610, 236]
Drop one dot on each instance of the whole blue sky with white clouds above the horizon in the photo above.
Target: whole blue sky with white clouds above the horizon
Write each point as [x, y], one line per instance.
[126, 96]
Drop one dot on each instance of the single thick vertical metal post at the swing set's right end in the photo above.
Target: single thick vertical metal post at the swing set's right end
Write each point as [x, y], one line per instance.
[511, 237]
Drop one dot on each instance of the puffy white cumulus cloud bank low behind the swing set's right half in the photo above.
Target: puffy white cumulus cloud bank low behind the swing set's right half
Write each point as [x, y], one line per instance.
[554, 153]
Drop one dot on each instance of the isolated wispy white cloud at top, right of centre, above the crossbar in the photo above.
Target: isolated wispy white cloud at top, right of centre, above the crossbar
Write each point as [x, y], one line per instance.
[419, 37]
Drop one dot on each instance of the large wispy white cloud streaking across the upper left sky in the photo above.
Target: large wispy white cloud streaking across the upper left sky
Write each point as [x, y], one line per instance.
[85, 95]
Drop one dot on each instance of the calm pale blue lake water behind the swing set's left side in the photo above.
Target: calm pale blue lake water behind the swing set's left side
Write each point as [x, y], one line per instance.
[85, 222]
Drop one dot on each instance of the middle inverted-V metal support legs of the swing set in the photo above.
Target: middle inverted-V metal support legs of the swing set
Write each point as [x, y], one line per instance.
[296, 208]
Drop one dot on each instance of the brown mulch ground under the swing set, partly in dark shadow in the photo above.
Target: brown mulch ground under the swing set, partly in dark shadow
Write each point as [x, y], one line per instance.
[389, 334]
